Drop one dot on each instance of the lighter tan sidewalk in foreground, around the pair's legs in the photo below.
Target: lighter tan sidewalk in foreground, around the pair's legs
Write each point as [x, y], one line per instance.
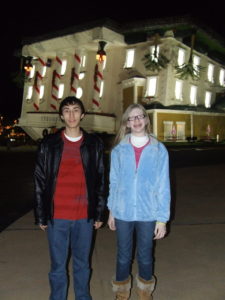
[190, 263]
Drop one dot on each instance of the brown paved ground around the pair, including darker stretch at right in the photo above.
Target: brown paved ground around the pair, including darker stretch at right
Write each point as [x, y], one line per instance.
[189, 262]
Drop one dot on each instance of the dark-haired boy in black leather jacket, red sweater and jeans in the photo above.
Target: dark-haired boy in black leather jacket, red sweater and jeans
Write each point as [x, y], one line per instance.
[70, 198]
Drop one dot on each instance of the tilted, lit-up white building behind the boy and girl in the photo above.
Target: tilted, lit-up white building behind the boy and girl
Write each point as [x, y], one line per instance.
[65, 64]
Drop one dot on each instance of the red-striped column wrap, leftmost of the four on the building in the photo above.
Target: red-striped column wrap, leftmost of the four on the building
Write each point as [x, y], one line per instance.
[37, 82]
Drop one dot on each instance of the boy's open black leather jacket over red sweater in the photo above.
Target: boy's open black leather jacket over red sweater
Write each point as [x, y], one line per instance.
[46, 171]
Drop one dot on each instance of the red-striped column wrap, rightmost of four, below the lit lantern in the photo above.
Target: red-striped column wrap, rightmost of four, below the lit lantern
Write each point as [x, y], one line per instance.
[98, 78]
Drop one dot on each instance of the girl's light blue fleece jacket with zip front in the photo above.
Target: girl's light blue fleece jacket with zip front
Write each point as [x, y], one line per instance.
[141, 194]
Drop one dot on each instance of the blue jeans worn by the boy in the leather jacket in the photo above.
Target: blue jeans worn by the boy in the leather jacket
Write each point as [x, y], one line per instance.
[63, 235]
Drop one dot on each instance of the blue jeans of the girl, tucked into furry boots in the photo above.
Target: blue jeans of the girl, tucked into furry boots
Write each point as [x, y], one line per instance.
[144, 237]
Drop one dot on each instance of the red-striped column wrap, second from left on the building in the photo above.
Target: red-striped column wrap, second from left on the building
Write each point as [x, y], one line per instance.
[55, 84]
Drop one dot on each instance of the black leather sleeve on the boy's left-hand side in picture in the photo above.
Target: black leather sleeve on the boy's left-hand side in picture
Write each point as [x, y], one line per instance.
[39, 186]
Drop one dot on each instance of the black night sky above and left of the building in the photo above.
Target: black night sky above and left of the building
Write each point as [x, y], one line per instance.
[33, 19]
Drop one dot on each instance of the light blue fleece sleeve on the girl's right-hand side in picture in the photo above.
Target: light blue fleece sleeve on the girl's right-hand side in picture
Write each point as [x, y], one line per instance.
[163, 185]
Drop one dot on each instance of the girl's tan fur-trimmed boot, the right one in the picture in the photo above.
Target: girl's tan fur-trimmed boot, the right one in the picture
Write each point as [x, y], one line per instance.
[145, 288]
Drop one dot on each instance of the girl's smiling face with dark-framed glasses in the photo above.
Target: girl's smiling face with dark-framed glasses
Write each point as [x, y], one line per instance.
[136, 122]
